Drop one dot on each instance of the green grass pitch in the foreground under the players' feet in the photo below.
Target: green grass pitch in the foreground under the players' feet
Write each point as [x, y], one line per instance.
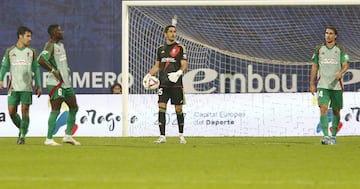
[205, 162]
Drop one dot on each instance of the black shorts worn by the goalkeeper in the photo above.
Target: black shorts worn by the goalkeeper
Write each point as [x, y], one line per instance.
[176, 94]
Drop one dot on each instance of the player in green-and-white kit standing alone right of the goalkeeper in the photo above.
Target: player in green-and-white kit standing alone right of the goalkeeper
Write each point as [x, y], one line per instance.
[330, 64]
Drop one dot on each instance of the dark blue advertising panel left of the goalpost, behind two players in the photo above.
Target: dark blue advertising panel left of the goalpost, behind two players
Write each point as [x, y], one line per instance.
[92, 36]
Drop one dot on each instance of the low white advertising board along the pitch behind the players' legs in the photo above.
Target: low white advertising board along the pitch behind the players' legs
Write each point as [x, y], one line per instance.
[270, 114]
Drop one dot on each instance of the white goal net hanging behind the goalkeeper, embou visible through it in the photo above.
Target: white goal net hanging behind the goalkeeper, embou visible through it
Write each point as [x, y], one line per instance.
[236, 47]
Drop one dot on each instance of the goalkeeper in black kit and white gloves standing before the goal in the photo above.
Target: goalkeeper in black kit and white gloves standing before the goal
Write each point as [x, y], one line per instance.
[171, 62]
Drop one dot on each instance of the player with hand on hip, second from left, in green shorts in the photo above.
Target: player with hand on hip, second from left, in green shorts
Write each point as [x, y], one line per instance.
[53, 58]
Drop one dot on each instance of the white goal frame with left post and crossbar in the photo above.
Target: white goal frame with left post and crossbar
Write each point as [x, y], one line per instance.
[125, 30]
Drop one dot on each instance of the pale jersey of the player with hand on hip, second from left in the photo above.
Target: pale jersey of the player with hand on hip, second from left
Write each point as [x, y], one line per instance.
[56, 55]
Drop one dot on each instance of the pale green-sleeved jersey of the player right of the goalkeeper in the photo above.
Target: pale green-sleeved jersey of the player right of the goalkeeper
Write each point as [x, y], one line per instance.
[329, 61]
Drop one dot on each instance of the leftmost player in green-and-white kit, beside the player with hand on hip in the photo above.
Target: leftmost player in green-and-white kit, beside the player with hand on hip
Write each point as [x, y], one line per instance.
[21, 60]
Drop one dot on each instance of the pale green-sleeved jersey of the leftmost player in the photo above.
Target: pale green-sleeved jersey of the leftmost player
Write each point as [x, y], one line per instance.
[22, 63]
